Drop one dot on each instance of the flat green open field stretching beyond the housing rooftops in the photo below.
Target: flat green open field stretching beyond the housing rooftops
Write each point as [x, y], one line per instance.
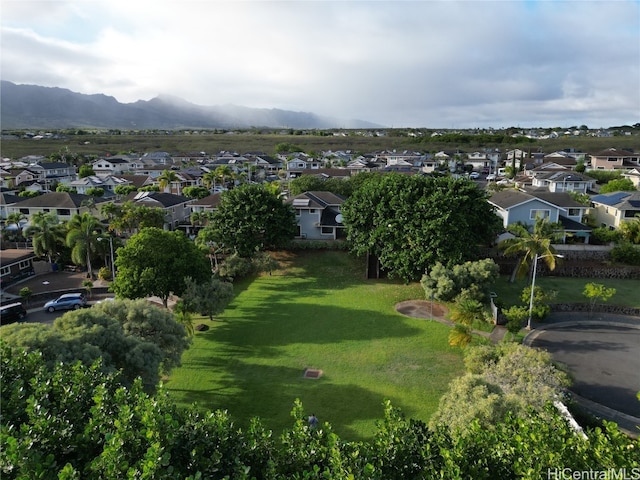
[100, 144]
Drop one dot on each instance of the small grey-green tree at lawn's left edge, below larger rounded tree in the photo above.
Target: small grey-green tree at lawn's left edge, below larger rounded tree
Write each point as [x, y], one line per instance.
[207, 298]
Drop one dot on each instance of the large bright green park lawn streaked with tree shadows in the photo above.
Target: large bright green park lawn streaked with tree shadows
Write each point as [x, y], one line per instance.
[317, 311]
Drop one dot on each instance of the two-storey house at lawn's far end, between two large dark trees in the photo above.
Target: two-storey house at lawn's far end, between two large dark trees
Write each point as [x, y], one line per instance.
[318, 215]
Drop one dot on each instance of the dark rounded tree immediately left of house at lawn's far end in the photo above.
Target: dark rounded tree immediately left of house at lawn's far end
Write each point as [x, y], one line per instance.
[250, 219]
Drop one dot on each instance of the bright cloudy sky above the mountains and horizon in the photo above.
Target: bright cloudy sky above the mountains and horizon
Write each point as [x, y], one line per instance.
[430, 64]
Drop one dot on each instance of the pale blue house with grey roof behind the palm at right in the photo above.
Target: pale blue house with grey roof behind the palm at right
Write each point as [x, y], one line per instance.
[516, 206]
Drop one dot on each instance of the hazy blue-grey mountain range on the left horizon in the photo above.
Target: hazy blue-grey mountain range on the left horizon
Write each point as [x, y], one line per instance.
[33, 106]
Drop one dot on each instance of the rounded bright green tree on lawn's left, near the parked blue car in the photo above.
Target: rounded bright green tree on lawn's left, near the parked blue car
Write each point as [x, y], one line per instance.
[155, 262]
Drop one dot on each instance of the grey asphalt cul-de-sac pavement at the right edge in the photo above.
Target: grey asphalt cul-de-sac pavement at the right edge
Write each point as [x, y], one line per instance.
[604, 360]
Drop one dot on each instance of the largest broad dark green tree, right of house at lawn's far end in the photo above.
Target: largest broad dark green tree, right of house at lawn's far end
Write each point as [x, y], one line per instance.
[412, 222]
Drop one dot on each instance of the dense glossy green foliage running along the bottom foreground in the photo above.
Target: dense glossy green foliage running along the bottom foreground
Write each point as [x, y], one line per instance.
[76, 422]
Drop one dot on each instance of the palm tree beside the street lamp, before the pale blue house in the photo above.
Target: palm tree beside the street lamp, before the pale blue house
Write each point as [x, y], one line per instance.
[530, 244]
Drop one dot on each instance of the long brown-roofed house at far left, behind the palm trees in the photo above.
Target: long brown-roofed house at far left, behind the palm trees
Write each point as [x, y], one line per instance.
[64, 204]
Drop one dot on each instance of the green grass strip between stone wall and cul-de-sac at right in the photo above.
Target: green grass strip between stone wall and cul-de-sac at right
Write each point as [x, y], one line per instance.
[569, 289]
